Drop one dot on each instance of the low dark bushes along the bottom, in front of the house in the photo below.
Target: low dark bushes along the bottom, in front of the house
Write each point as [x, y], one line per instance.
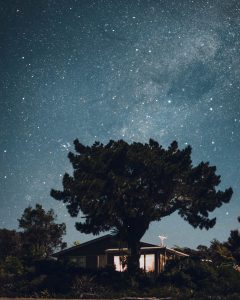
[186, 279]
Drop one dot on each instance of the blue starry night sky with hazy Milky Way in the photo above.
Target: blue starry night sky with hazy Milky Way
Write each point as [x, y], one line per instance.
[115, 69]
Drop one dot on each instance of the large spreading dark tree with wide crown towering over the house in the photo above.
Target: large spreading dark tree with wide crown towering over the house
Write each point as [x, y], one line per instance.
[124, 187]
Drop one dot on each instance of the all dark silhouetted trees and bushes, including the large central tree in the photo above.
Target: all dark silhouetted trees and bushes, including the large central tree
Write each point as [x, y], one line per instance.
[124, 188]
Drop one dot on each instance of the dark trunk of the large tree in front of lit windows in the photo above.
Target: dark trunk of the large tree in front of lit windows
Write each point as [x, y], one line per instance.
[133, 256]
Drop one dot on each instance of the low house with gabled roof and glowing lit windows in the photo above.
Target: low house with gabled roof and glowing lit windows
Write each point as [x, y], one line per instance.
[109, 251]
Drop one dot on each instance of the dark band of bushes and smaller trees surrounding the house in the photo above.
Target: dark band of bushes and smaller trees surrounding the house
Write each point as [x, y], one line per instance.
[27, 269]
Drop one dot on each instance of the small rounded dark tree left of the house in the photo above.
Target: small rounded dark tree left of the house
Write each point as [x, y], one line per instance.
[41, 235]
